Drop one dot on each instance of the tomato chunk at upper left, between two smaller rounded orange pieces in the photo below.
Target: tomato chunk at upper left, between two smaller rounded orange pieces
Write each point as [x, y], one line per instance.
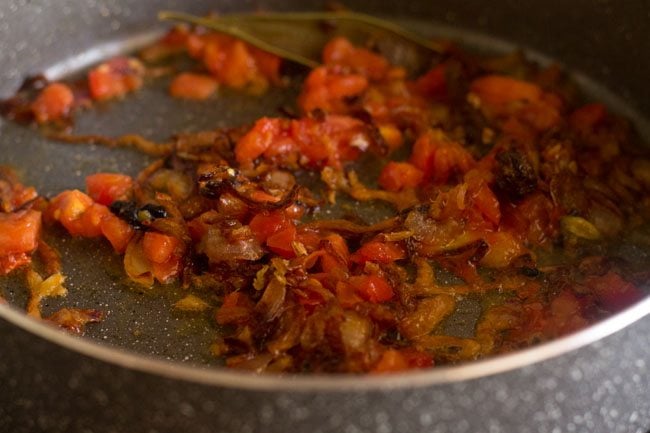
[115, 78]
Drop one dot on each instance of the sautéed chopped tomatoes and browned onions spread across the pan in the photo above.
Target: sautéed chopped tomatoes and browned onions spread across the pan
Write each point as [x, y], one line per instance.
[491, 177]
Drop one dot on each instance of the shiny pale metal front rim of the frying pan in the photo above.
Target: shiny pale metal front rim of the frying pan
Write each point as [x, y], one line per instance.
[227, 378]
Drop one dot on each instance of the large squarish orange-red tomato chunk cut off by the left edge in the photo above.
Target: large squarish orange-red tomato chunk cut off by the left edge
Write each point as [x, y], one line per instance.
[19, 232]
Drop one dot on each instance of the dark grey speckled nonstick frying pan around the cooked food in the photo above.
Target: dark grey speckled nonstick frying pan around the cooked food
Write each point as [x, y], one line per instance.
[156, 380]
